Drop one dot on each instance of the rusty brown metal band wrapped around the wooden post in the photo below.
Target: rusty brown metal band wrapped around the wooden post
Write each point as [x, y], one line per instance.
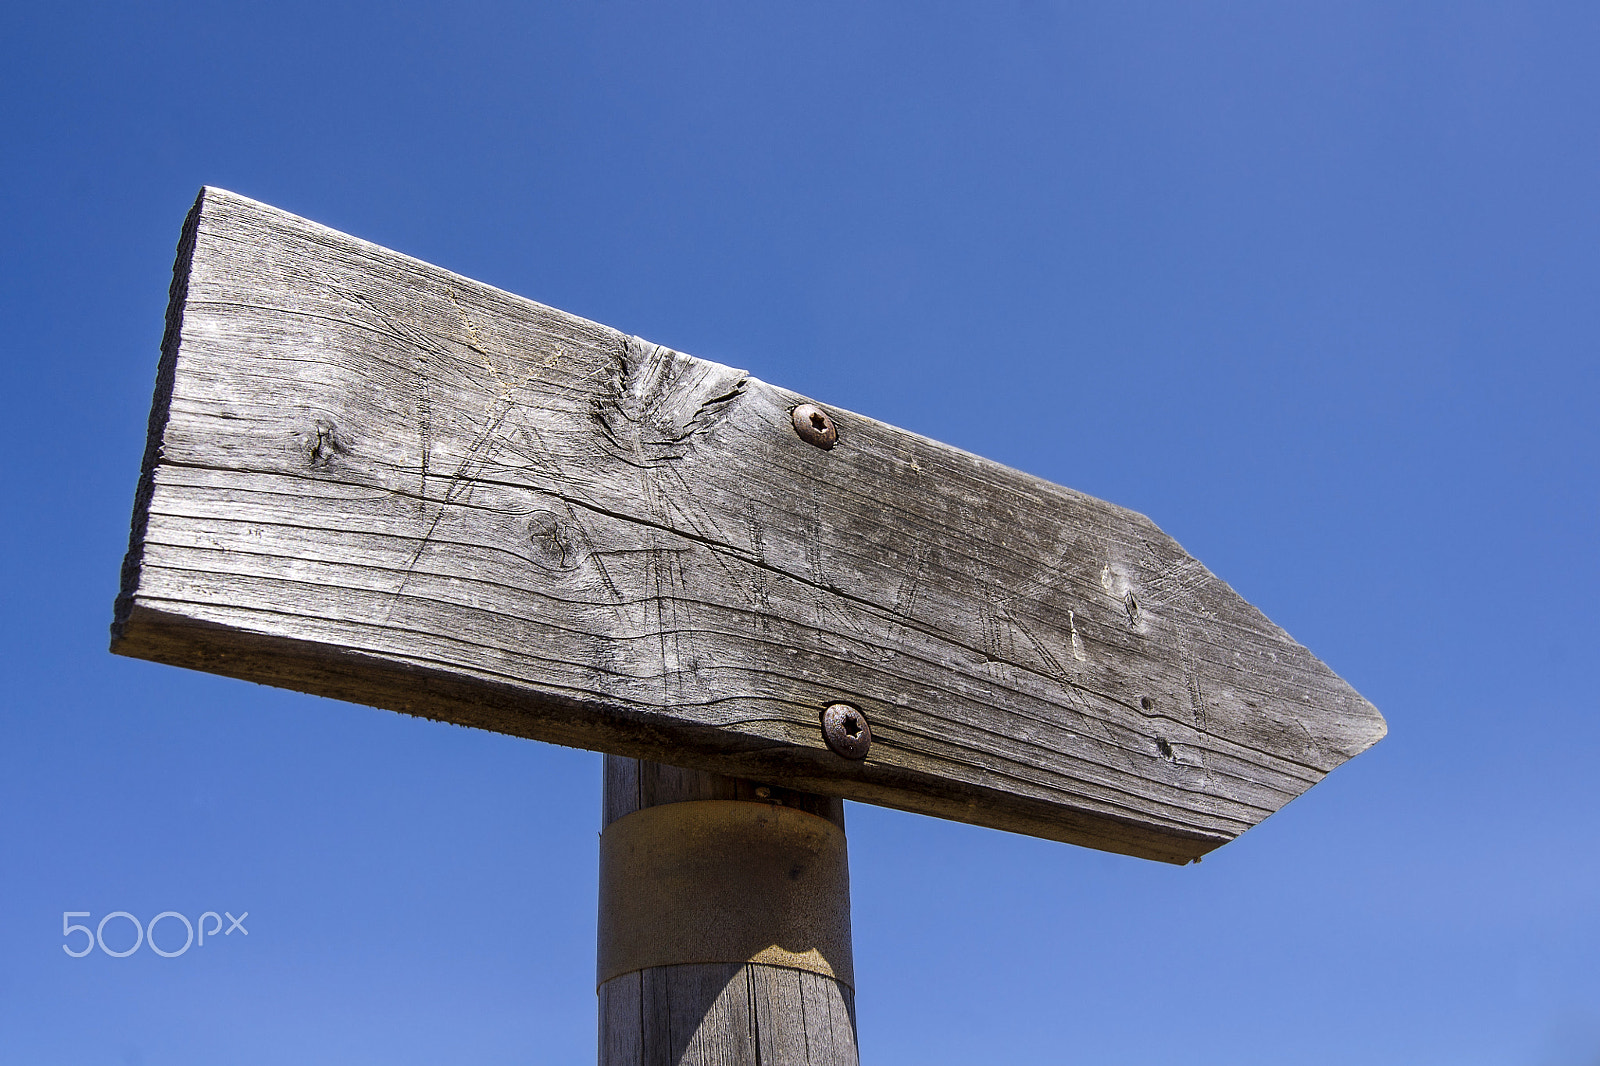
[724, 881]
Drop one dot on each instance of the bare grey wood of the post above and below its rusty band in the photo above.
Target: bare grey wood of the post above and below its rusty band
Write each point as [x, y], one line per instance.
[722, 1012]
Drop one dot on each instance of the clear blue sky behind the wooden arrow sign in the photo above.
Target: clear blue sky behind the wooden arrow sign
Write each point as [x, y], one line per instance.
[1313, 286]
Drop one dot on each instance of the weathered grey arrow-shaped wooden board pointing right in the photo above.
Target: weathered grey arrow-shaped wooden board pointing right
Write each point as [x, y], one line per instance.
[377, 481]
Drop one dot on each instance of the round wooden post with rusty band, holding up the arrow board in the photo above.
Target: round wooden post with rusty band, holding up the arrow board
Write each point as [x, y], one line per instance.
[724, 923]
